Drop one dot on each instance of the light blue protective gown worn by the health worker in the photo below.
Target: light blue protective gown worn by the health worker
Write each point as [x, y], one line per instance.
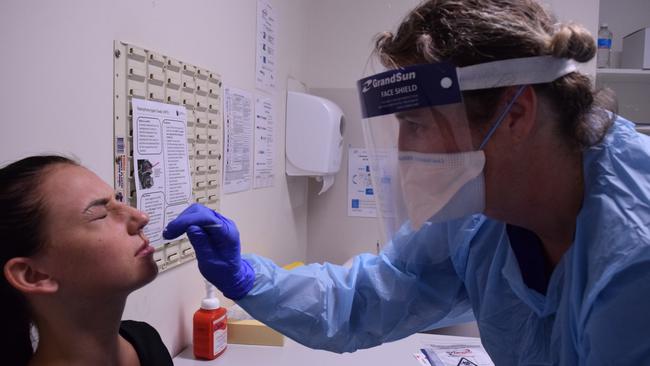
[596, 310]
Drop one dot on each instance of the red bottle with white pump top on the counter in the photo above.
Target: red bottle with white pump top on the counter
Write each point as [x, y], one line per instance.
[209, 327]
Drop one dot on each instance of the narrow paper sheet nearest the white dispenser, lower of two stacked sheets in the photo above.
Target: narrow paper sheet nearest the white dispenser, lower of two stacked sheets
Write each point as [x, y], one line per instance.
[264, 121]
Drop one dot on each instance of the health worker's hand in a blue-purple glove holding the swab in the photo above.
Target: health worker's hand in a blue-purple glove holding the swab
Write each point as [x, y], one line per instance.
[216, 242]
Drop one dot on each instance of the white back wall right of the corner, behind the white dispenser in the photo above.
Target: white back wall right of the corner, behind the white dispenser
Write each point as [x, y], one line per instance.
[338, 43]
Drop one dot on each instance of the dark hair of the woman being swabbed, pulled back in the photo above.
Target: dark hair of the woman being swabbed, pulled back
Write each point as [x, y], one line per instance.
[21, 235]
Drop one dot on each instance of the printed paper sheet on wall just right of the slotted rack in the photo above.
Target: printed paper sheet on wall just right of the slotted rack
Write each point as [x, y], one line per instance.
[238, 113]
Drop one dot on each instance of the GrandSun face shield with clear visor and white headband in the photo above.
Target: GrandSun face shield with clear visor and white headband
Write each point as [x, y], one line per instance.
[426, 165]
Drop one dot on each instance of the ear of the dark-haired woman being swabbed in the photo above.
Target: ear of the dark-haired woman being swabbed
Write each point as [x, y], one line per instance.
[24, 275]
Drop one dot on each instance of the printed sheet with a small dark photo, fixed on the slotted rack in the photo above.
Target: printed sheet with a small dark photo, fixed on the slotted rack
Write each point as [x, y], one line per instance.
[161, 168]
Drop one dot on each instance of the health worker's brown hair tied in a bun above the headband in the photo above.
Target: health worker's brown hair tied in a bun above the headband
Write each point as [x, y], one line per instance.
[468, 32]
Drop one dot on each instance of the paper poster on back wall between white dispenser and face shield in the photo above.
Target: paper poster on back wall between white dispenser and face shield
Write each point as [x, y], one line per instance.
[361, 195]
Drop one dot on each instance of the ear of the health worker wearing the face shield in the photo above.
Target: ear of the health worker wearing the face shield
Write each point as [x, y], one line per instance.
[523, 115]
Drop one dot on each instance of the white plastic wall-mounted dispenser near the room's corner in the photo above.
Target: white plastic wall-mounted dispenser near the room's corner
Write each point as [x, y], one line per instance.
[314, 137]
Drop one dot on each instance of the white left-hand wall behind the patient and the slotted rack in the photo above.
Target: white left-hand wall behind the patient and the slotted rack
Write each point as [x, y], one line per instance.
[57, 68]
